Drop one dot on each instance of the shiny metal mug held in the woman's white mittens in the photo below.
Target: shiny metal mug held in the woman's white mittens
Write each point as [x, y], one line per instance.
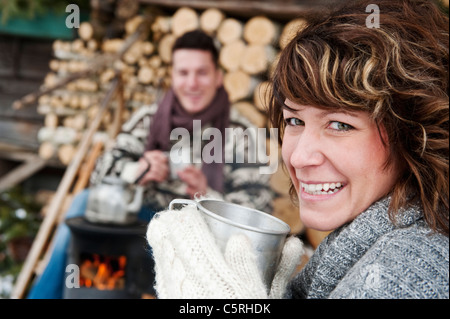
[266, 233]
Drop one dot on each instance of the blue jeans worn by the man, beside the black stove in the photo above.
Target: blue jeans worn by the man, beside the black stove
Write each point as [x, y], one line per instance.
[50, 284]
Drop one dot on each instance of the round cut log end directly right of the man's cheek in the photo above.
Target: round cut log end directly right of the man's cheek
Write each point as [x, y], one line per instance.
[239, 85]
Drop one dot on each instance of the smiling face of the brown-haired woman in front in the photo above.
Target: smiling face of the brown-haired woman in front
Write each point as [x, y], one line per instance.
[336, 161]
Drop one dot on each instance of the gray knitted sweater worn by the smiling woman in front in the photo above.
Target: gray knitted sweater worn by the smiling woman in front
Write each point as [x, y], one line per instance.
[373, 258]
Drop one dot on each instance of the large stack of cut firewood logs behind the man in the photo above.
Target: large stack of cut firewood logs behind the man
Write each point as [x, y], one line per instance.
[248, 53]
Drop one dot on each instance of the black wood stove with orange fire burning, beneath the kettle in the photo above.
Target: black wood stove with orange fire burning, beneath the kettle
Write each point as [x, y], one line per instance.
[114, 261]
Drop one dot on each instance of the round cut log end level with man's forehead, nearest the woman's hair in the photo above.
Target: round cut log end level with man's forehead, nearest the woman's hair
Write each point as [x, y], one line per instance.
[256, 58]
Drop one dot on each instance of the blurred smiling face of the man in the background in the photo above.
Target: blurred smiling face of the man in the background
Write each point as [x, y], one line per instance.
[195, 78]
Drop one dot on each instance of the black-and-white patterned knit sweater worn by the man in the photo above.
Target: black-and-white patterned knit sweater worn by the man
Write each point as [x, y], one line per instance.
[244, 184]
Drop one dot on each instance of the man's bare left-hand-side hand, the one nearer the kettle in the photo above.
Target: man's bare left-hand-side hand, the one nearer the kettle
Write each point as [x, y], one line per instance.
[159, 167]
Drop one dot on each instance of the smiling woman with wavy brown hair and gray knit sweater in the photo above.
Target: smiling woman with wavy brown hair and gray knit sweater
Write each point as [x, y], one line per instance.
[363, 114]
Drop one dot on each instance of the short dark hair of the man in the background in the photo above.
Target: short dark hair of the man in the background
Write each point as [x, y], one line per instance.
[198, 40]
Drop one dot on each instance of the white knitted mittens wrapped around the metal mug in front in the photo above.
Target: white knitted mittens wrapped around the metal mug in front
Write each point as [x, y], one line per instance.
[188, 263]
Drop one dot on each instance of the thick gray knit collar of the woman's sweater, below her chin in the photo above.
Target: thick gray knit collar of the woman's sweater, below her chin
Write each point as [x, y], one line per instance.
[346, 245]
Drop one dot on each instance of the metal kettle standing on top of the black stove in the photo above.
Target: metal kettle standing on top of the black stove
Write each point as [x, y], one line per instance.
[112, 201]
